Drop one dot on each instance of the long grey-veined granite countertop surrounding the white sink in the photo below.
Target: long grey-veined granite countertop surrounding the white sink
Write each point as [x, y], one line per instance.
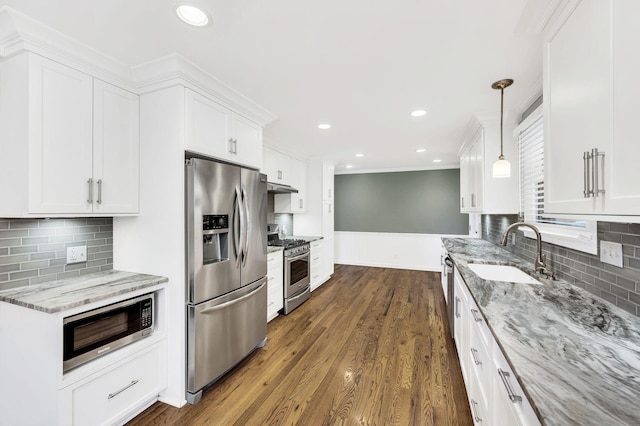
[577, 357]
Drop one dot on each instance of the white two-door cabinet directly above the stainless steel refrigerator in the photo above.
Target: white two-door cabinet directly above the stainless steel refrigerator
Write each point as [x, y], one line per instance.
[216, 131]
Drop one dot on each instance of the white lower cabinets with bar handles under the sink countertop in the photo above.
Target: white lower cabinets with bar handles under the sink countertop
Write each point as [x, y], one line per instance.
[495, 396]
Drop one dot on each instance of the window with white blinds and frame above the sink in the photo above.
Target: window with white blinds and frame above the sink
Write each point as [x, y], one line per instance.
[577, 234]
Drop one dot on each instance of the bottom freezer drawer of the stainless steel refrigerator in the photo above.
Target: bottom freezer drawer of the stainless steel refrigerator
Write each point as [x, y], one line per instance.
[222, 331]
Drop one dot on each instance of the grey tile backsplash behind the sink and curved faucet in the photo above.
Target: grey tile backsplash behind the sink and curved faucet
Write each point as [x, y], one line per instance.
[620, 286]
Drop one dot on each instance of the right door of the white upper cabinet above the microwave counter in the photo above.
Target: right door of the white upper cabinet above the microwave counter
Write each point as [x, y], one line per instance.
[115, 149]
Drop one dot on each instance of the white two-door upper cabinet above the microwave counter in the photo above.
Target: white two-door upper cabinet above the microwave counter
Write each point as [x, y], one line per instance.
[69, 142]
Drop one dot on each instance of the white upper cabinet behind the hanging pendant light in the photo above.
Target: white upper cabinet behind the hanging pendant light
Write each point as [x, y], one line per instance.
[480, 192]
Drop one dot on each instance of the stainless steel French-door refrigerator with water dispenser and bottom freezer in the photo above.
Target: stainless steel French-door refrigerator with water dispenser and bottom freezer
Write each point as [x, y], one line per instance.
[226, 210]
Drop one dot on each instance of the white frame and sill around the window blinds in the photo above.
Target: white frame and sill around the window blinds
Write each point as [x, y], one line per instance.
[581, 239]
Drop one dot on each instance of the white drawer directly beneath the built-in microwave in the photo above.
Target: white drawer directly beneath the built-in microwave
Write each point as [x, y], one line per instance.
[115, 393]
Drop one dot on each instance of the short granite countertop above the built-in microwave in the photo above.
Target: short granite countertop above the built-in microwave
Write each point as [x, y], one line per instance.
[61, 295]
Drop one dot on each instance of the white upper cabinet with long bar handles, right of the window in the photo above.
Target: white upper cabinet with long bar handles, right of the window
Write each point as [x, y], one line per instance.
[591, 92]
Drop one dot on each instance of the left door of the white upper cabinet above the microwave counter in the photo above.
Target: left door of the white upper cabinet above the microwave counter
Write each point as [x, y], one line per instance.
[60, 145]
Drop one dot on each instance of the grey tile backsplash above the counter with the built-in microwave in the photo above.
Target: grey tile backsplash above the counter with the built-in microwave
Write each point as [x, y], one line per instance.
[33, 251]
